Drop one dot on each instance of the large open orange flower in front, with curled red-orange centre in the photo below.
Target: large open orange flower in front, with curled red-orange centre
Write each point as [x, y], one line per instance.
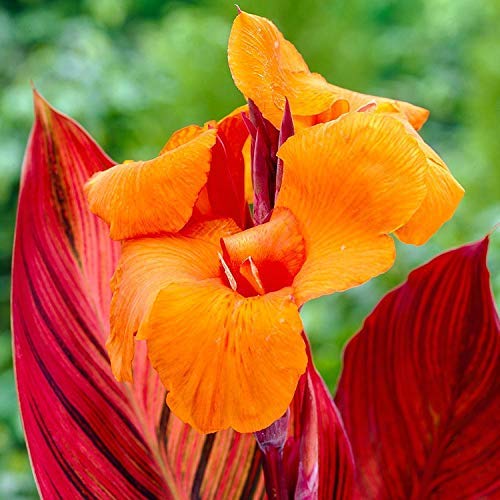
[218, 305]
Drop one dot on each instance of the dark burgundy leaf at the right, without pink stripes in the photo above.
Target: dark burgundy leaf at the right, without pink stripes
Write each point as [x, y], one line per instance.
[420, 390]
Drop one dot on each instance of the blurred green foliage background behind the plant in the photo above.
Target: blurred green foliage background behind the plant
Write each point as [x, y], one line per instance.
[132, 72]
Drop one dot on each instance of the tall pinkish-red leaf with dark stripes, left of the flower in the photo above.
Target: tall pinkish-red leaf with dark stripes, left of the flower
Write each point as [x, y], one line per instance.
[87, 435]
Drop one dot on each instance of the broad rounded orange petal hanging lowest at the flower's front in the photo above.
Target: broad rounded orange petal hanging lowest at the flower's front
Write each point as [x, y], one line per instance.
[226, 360]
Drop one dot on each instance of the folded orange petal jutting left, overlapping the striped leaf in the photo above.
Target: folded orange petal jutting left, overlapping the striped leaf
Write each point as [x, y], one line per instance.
[150, 197]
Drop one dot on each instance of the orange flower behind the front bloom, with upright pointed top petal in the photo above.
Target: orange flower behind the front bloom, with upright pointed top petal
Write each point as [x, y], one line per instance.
[268, 69]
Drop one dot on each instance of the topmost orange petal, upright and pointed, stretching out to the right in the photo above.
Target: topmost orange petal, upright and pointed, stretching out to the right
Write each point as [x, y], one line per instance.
[267, 68]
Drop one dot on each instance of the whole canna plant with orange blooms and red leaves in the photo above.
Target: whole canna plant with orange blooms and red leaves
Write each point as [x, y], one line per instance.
[191, 375]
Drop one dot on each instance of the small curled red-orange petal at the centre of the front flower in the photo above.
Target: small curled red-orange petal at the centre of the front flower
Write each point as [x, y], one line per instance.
[276, 248]
